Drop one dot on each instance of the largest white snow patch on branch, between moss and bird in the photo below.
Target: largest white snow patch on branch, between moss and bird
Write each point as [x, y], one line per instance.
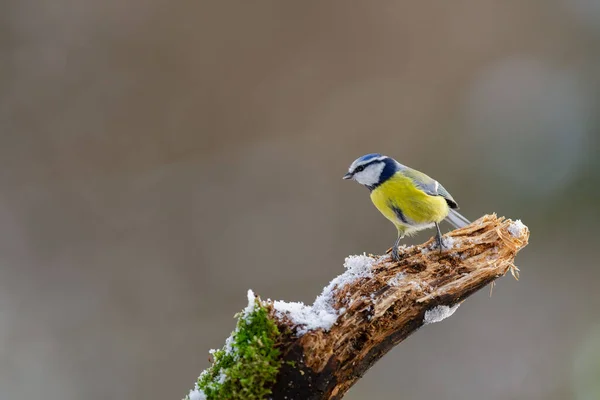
[322, 314]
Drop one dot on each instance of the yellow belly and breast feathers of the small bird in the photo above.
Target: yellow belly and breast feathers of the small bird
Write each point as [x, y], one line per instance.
[419, 209]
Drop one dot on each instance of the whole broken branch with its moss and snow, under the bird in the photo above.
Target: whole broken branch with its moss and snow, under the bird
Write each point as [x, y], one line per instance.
[292, 351]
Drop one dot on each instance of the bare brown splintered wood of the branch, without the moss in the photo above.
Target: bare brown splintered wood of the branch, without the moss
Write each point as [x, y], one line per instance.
[378, 311]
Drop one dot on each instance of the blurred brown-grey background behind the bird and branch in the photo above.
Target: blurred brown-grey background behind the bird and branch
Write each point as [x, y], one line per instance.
[159, 158]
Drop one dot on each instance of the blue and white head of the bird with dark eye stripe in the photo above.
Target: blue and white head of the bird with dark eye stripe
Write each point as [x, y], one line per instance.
[371, 170]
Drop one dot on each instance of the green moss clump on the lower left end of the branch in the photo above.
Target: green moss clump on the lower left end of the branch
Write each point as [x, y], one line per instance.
[247, 366]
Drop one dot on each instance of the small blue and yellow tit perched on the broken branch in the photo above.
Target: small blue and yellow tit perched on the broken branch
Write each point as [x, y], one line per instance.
[411, 200]
